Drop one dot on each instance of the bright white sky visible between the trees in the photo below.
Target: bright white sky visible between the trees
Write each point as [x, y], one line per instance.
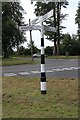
[69, 23]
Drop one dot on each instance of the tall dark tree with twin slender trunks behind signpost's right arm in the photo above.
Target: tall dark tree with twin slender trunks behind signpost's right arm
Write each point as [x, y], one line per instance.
[41, 9]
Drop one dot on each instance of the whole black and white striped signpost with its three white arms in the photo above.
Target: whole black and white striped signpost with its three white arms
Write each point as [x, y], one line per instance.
[31, 27]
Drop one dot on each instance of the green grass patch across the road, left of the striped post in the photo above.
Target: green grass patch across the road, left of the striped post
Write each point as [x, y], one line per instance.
[16, 61]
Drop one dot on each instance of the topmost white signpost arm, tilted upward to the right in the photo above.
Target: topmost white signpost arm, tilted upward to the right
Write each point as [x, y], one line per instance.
[42, 18]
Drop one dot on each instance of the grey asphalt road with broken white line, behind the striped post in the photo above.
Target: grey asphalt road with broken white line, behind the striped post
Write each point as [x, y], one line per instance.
[53, 67]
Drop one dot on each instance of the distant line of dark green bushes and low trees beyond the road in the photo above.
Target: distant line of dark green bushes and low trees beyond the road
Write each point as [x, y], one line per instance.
[70, 45]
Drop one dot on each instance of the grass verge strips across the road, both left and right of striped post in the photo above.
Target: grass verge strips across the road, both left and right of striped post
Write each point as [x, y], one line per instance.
[27, 60]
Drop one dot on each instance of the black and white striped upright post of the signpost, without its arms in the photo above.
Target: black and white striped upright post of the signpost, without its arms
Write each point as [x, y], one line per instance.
[43, 73]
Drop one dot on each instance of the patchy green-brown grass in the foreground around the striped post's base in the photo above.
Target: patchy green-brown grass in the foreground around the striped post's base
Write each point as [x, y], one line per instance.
[22, 98]
